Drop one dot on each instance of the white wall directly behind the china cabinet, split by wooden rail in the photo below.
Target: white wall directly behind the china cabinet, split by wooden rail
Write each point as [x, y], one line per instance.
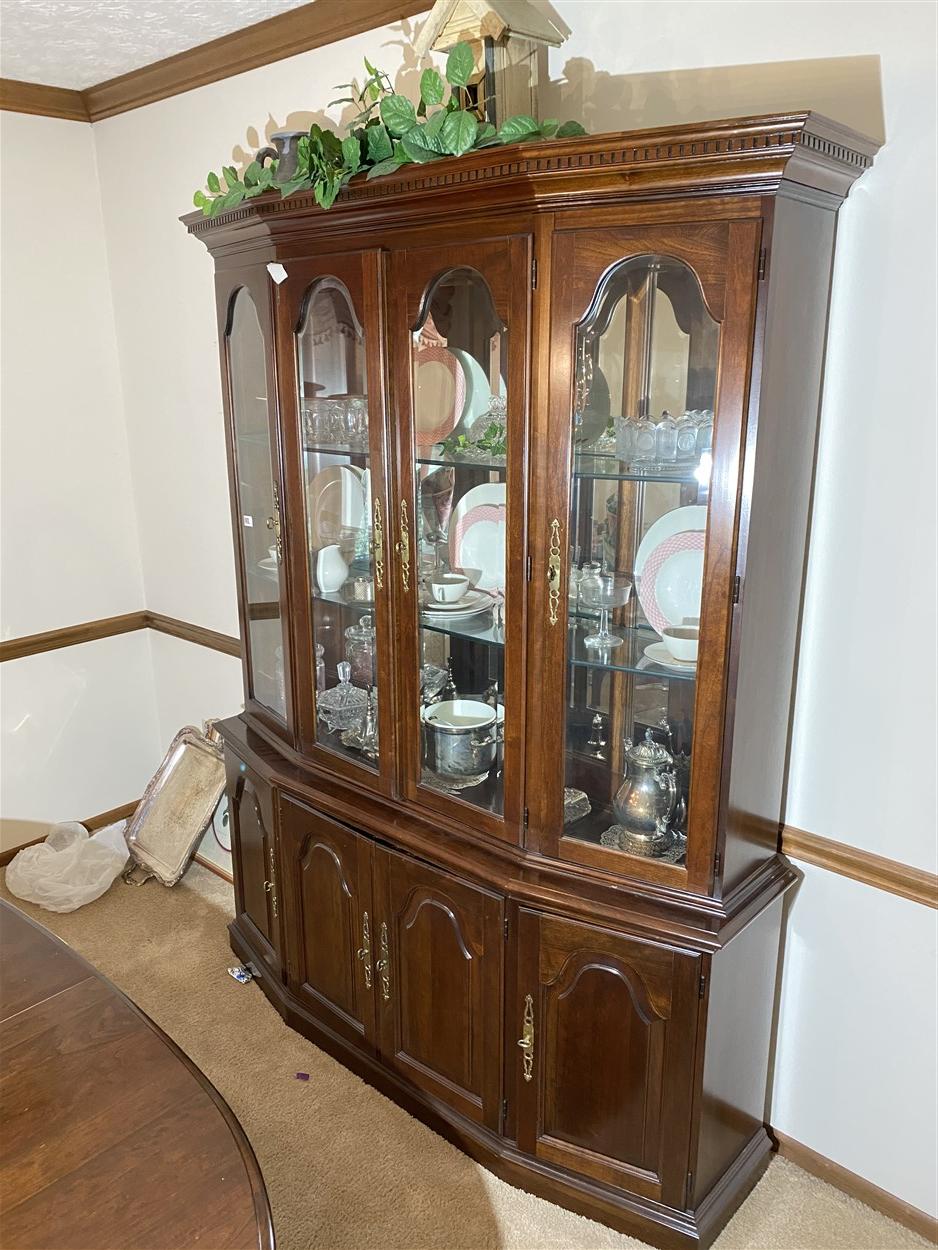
[864, 747]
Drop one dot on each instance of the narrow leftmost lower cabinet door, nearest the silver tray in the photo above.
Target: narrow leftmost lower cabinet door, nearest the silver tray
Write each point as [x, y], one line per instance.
[251, 804]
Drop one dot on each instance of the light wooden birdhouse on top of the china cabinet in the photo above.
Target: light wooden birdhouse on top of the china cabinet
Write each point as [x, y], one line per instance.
[510, 39]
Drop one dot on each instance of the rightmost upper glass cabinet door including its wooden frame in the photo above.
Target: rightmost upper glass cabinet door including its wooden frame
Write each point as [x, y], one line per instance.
[636, 568]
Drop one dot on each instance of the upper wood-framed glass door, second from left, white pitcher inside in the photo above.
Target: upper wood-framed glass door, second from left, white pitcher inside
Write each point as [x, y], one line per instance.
[338, 424]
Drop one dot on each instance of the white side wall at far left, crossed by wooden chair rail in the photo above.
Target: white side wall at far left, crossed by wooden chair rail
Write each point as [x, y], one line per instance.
[78, 733]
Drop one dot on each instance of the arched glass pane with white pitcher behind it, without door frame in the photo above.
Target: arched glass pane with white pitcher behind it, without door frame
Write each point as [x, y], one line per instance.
[333, 406]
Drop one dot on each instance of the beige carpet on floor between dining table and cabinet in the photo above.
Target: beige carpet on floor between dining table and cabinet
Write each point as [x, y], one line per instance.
[345, 1167]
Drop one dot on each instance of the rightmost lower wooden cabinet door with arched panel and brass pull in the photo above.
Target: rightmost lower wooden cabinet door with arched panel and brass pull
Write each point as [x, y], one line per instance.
[607, 1031]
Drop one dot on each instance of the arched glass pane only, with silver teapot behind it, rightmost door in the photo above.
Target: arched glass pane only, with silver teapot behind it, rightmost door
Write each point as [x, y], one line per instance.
[646, 376]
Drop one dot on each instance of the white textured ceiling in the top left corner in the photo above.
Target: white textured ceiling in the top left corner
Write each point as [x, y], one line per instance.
[66, 43]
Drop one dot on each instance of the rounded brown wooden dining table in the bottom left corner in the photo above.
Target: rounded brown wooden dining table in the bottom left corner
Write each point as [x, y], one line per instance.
[111, 1138]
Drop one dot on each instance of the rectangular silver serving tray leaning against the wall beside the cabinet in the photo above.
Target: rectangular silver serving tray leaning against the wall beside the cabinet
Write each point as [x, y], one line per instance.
[177, 808]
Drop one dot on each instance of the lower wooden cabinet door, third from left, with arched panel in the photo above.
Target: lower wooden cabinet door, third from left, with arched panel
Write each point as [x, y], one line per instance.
[438, 983]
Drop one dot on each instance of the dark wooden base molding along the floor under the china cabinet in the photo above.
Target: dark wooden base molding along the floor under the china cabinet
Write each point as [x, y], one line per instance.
[655, 1223]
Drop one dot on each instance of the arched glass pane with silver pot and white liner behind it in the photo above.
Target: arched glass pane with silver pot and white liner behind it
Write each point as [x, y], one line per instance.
[461, 514]
